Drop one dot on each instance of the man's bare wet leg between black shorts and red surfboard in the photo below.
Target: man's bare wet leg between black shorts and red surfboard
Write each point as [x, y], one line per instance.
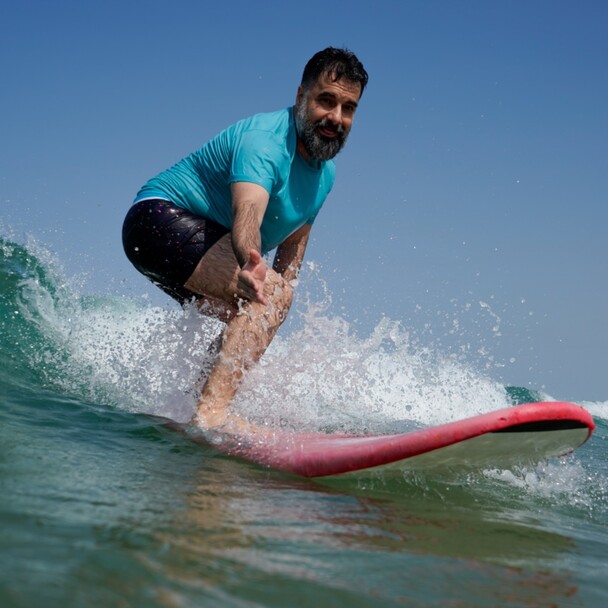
[248, 332]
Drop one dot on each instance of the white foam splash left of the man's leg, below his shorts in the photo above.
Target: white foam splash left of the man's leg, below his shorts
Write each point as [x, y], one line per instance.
[138, 358]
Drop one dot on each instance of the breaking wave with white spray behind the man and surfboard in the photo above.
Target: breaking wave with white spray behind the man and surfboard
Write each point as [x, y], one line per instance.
[140, 358]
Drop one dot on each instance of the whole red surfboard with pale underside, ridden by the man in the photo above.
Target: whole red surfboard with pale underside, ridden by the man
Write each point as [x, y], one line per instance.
[519, 435]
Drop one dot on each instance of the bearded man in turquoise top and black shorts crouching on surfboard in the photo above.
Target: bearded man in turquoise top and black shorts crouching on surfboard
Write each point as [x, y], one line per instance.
[199, 230]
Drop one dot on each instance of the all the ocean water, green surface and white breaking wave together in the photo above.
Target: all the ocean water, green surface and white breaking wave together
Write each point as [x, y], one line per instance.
[100, 505]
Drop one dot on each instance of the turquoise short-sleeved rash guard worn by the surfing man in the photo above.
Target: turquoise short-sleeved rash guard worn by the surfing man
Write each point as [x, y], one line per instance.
[261, 150]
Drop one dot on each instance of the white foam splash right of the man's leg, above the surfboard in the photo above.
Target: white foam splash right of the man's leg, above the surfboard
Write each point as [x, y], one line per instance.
[325, 376]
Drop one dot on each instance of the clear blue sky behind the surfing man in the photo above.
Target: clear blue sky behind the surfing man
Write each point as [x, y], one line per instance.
[470, 202]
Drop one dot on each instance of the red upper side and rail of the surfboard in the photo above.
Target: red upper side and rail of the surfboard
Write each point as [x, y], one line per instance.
[321, 455]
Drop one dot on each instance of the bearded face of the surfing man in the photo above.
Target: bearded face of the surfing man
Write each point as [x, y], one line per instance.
[324, 116]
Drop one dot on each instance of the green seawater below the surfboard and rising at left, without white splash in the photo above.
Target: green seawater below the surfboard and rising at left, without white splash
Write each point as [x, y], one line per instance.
[100, 506]
